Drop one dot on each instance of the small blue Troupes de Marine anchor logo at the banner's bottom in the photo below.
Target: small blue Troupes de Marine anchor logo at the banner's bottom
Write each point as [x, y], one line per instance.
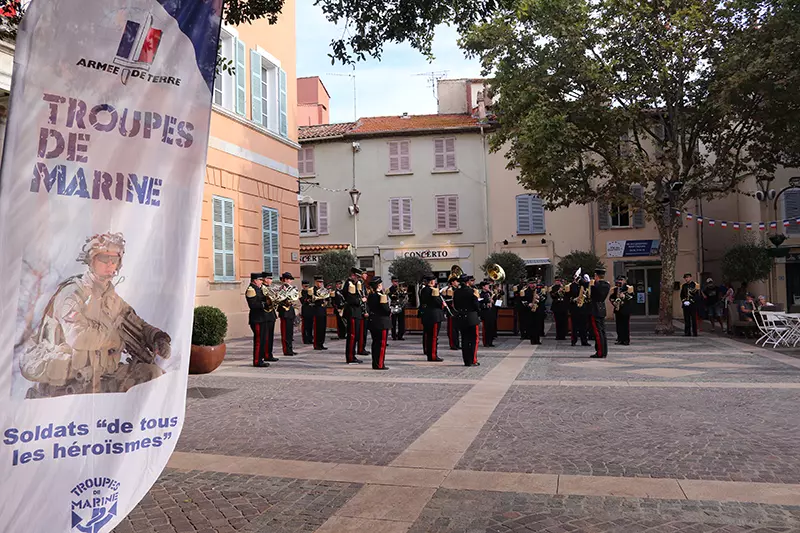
[93, 504]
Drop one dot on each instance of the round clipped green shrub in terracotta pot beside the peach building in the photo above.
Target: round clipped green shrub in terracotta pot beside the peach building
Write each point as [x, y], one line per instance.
[208, 339]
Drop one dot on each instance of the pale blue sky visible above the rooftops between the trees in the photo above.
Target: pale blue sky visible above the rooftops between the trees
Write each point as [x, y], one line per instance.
[389, 86]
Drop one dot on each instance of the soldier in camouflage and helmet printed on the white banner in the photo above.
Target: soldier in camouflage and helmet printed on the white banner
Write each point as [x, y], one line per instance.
[90, 340]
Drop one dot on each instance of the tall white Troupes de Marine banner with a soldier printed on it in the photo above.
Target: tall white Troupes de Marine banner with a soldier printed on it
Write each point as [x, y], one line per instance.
[100, 203]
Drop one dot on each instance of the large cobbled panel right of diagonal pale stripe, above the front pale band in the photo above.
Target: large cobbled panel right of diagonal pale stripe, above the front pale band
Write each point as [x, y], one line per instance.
[728, 435]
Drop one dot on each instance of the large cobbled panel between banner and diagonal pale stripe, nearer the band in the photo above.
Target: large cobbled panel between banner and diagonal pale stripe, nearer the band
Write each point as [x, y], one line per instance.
[334, 422]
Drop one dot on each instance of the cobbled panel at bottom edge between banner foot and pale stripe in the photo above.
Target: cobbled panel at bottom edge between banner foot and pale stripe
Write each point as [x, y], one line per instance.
[204, 502]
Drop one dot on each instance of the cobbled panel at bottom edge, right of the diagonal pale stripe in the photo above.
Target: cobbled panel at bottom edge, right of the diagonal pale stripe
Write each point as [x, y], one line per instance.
[459, 511]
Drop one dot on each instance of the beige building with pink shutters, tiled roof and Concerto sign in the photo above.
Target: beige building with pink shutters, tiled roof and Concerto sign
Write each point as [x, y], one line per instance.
[422, 187]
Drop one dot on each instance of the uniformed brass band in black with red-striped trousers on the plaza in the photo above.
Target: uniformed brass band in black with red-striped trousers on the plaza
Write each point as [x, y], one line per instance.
[360, 306]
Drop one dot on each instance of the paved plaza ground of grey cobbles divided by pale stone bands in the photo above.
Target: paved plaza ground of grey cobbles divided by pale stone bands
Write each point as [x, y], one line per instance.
[668, 434]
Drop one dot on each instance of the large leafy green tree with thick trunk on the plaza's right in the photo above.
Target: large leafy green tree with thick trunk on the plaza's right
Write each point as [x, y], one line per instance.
[653, 104]
